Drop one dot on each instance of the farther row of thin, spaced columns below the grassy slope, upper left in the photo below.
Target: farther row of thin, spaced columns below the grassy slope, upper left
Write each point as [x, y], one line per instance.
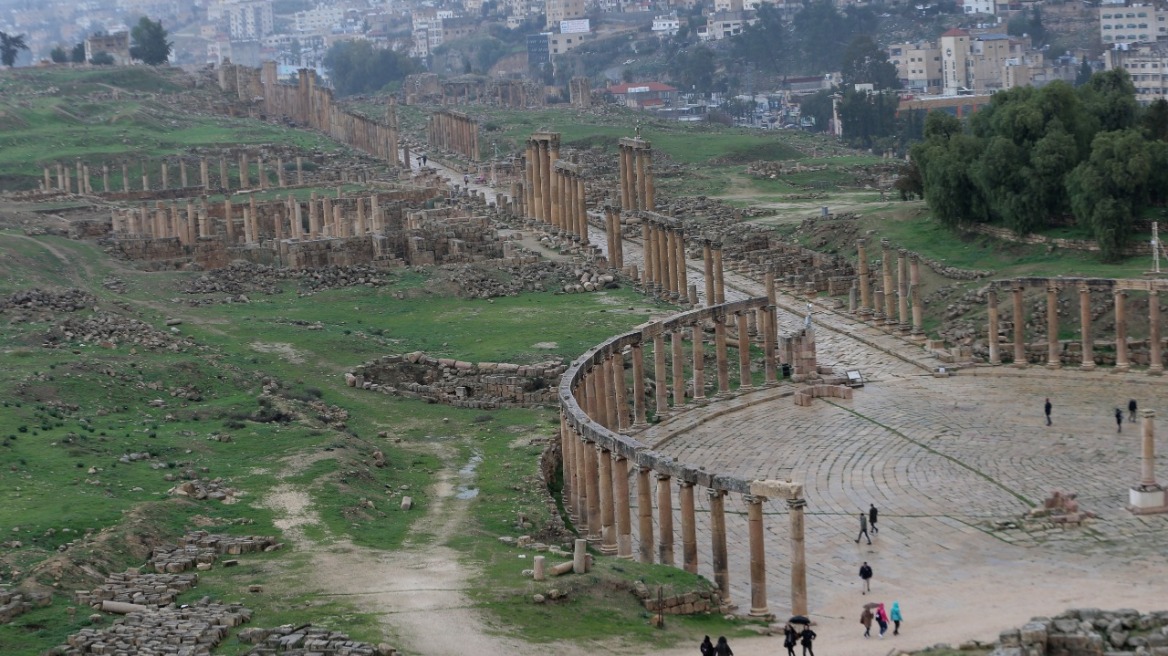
[62, 177]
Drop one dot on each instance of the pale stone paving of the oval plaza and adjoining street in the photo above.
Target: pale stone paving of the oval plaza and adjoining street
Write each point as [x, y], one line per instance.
[945, 460]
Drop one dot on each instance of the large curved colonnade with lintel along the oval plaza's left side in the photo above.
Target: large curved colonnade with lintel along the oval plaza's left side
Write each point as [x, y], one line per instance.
[602, 406]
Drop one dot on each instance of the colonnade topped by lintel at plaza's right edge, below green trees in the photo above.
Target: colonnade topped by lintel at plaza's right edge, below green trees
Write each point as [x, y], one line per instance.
[1120, 291]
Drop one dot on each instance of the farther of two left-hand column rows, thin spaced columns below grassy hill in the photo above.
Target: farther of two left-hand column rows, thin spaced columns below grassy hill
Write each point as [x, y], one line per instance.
[80, 178]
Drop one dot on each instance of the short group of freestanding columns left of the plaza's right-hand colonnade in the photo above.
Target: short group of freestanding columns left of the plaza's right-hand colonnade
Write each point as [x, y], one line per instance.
[889, 304]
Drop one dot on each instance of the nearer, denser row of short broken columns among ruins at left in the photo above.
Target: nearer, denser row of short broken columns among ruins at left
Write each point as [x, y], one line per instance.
[249, 224]
